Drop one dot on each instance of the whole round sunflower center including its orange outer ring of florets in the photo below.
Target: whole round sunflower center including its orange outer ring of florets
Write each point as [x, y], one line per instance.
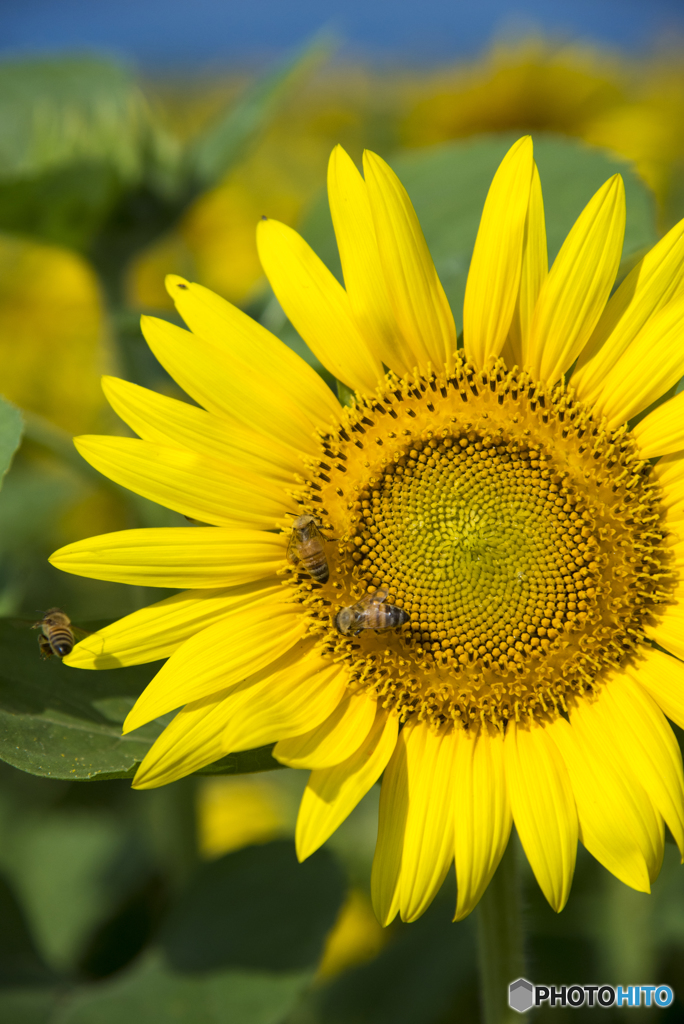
[523, 542]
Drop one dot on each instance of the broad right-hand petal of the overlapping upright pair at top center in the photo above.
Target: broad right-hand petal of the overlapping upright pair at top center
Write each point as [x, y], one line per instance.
[415, 291]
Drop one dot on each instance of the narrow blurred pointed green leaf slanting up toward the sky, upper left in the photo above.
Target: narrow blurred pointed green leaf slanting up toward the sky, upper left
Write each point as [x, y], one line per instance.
[226, 143]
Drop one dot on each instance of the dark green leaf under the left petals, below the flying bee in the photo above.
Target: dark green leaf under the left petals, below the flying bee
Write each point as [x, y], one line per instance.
[66, 723]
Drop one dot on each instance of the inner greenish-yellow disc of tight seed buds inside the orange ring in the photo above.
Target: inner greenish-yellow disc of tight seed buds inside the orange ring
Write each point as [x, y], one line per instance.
[478, 539]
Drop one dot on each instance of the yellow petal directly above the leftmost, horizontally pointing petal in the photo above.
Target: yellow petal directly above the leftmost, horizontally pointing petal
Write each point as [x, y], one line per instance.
[194, 485]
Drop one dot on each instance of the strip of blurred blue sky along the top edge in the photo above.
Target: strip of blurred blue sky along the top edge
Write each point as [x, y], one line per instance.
[188, 35]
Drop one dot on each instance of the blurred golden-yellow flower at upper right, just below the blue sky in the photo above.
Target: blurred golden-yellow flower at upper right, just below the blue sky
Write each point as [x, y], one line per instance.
[579, 93]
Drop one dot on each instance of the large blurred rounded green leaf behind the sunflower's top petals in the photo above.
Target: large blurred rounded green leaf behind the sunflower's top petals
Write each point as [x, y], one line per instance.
[449, 184]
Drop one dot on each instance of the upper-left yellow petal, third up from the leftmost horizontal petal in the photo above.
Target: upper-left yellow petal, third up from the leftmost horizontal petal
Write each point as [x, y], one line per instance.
[226, 388]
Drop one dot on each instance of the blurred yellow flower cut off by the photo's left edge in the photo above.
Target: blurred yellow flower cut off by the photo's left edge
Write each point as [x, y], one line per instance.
[53, 336]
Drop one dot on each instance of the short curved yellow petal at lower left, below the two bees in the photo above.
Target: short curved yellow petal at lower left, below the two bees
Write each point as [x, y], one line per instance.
[334, 741]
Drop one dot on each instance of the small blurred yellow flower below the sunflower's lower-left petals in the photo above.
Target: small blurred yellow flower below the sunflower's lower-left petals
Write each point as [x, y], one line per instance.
[238, 813]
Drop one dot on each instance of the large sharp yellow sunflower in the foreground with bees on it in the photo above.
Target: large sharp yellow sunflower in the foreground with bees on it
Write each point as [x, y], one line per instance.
[506, 550]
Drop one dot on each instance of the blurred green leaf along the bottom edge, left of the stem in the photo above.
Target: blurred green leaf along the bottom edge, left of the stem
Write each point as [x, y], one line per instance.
[153, 994]
